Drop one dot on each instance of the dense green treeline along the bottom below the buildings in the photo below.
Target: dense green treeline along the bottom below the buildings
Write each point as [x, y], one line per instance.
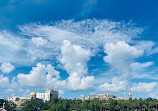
[148, 104]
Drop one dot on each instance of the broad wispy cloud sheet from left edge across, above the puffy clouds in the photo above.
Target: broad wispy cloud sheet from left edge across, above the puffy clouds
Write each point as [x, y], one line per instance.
[43, 42]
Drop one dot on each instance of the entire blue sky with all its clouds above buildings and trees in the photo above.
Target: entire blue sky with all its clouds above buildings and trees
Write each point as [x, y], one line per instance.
[81, 46]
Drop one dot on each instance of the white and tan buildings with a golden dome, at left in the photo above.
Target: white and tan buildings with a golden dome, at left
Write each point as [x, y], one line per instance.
[47, 96]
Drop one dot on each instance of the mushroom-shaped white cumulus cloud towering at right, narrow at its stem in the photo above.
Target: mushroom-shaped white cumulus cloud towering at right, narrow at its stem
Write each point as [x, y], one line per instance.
[120, 55]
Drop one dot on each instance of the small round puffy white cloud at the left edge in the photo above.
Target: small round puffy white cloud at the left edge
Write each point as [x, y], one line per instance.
[6, 67]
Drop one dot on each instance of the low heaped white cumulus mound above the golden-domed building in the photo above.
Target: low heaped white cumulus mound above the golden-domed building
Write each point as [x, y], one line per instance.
[41, 77]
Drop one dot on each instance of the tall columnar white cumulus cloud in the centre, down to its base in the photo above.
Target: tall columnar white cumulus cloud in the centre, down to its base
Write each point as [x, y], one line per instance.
[74, 59]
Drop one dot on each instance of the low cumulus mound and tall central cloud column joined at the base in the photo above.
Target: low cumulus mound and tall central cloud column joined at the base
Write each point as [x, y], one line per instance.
[74, 59]
